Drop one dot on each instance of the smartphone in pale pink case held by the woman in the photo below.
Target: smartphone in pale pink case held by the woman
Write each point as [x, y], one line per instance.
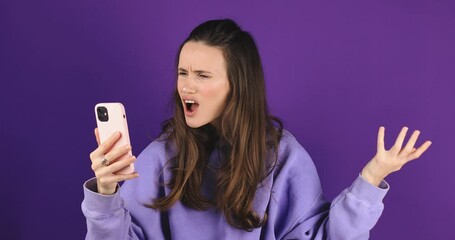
[111, 118]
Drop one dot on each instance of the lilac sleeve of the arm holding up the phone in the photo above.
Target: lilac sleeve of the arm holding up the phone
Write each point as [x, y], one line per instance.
[124, 215]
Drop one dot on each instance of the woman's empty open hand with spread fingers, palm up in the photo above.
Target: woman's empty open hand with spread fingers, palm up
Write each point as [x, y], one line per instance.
[386, 162]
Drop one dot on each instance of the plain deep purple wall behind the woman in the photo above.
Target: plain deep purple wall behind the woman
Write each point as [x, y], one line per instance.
[335, 72]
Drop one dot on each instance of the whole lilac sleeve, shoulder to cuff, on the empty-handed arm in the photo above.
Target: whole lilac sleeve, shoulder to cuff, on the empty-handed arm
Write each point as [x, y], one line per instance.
[299, 210]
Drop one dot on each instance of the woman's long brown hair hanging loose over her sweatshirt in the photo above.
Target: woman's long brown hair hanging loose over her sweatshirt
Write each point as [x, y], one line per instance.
[248, 135]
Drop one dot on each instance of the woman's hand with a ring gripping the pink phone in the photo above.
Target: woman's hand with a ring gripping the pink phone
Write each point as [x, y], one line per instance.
[106, 178]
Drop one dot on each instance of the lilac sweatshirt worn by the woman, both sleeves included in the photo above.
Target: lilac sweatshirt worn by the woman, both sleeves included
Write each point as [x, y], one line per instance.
[291, 196]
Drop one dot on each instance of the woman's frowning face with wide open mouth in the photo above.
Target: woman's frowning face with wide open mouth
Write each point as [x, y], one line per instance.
[202, 83]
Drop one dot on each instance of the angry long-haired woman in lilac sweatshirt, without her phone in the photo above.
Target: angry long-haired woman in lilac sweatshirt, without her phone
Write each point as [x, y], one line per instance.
[223, 168]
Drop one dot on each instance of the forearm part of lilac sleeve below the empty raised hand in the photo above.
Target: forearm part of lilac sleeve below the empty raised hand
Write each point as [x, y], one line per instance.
[351, 215]
